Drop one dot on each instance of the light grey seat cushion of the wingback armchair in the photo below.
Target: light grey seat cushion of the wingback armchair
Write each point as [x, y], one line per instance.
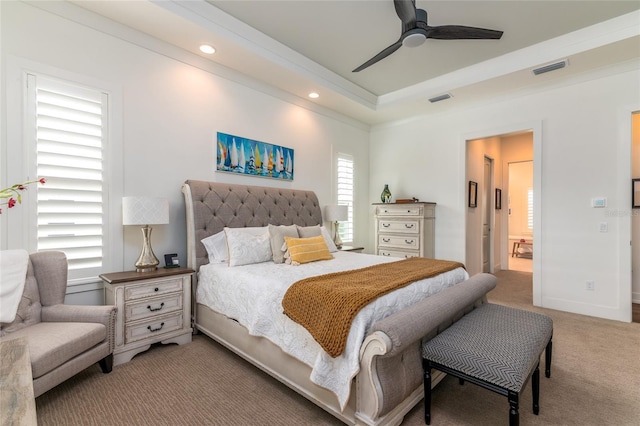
[51, 344]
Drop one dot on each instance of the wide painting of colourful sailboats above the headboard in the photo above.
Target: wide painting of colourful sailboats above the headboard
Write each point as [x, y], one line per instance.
[235, 154]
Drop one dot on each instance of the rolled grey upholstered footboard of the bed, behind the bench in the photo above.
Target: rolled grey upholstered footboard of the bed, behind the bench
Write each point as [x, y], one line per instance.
[390, 380]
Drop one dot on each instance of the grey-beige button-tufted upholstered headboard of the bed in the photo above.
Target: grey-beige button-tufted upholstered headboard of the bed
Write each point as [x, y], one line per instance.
[210, 206]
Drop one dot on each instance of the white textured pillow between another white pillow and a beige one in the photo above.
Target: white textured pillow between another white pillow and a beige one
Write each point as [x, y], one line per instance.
[246, 248]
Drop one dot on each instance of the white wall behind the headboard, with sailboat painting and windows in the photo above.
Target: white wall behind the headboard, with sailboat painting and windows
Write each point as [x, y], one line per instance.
[170, 113]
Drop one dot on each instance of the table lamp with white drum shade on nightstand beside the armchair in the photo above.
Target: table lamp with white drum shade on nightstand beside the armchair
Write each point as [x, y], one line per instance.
[145, 211]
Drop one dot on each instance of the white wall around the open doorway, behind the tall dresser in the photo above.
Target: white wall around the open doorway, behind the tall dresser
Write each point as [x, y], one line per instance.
[584, 149]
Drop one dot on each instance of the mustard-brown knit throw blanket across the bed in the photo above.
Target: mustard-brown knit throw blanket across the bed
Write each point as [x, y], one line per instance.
[327, 304]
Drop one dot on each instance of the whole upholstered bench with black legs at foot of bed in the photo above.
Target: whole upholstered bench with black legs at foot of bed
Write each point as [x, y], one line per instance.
[496, 347]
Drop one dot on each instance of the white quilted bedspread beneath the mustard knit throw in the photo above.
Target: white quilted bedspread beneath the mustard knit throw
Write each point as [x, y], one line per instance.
[252, 295]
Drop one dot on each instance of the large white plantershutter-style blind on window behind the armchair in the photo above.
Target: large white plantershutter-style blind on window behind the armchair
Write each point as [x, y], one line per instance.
[70, 137]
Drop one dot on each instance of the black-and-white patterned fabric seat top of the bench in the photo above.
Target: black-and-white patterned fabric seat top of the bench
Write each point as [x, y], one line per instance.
[494, 343]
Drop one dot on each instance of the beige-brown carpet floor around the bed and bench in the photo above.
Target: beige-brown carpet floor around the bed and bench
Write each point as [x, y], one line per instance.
[595, 380]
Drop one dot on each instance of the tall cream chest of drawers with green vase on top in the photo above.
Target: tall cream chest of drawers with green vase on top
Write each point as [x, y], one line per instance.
[405, 229]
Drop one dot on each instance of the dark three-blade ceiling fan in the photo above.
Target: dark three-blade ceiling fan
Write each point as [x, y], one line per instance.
[415, 31]
